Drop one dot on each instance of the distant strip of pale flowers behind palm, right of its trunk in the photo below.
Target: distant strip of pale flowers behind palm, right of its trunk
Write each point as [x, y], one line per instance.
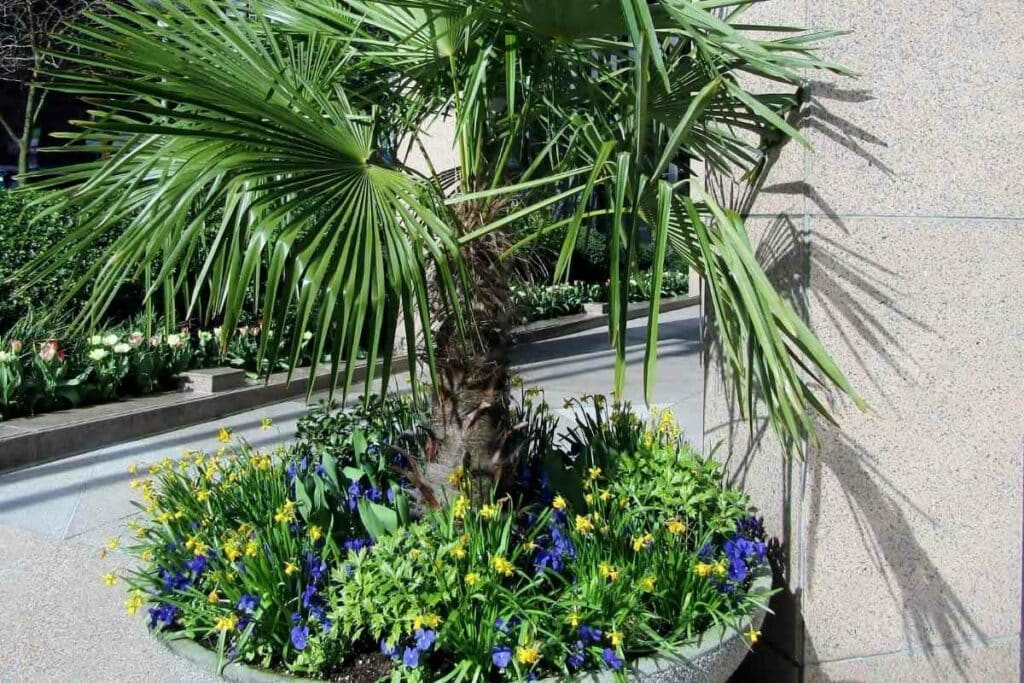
[542, 303]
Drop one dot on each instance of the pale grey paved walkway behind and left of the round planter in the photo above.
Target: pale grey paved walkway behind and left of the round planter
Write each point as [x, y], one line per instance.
[60, 623]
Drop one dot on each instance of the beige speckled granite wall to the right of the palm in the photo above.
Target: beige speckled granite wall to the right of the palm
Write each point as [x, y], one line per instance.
[902, 239]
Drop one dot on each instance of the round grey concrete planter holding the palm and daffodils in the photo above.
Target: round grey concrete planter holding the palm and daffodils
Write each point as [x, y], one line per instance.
[713, 659]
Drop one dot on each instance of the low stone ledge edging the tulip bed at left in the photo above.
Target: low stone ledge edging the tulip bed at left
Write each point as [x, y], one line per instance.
[51, 437]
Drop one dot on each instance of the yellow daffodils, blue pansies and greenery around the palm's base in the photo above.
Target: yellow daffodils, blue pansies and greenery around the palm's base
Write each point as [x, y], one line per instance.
[619, 543]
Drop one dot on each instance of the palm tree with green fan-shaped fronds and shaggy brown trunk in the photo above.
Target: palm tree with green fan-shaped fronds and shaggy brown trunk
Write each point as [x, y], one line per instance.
[264, 144]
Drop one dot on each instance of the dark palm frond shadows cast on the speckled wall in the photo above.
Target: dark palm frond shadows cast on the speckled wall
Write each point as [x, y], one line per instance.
[842, 279]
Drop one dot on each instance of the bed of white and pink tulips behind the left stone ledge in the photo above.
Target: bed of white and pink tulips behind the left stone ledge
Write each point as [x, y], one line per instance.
[51, 375]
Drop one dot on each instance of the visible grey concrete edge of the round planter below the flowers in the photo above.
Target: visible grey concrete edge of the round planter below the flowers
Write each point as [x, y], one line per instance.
[639, 670]
